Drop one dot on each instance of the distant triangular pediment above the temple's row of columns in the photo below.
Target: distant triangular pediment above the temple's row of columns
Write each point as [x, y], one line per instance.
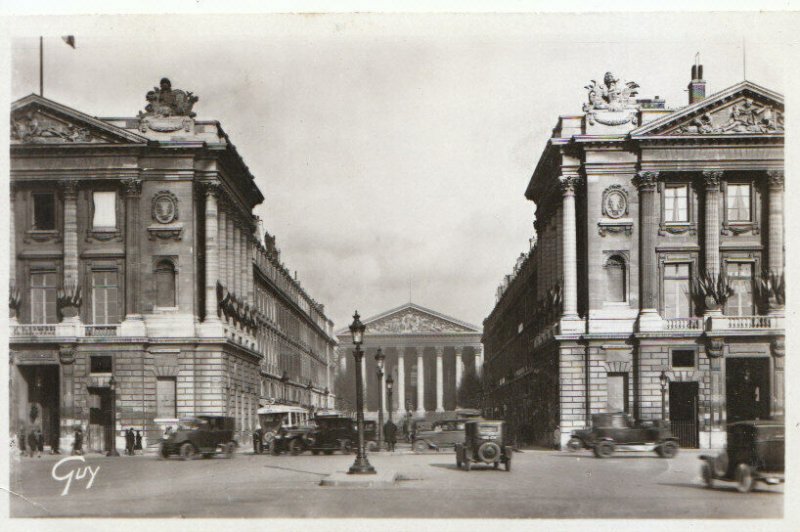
[412, 319]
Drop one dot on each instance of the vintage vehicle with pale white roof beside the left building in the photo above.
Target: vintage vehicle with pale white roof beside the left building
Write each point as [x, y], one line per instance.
[283, 428]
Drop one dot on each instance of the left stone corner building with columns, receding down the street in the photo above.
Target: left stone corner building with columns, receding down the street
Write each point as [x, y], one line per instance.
[135, 260]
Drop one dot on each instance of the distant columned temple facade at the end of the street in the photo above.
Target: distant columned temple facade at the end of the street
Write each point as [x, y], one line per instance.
[427, 354]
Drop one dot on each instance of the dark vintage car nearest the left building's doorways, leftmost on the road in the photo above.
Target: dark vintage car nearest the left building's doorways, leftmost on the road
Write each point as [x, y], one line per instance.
[200, 435]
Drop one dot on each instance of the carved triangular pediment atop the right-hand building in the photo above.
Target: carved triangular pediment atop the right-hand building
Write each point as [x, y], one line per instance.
[744, 109]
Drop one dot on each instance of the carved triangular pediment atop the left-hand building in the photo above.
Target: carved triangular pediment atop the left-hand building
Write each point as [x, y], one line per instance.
[37, 120]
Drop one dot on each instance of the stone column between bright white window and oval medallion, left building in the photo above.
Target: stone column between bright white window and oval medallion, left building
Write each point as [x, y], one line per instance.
[133, 325]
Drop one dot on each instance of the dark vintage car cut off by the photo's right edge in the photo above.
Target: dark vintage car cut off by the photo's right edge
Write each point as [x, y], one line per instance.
[754, 453]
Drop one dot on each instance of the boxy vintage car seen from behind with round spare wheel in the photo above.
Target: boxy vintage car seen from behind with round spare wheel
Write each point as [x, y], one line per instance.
[484, 442]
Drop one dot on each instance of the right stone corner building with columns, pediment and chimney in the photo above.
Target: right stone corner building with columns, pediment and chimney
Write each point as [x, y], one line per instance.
[659, 251]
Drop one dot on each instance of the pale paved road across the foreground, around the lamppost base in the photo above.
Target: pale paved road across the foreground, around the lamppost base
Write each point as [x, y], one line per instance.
[542, 484]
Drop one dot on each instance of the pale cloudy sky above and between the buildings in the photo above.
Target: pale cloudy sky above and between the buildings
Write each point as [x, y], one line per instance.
[394, 150]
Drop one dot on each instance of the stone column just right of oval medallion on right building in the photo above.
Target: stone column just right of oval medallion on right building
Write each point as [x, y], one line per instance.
[649, 318]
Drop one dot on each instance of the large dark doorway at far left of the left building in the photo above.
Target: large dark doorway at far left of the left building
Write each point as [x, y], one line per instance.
[42, 402]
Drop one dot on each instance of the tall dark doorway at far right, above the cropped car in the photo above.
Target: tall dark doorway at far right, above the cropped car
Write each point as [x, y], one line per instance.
[747, 388]
